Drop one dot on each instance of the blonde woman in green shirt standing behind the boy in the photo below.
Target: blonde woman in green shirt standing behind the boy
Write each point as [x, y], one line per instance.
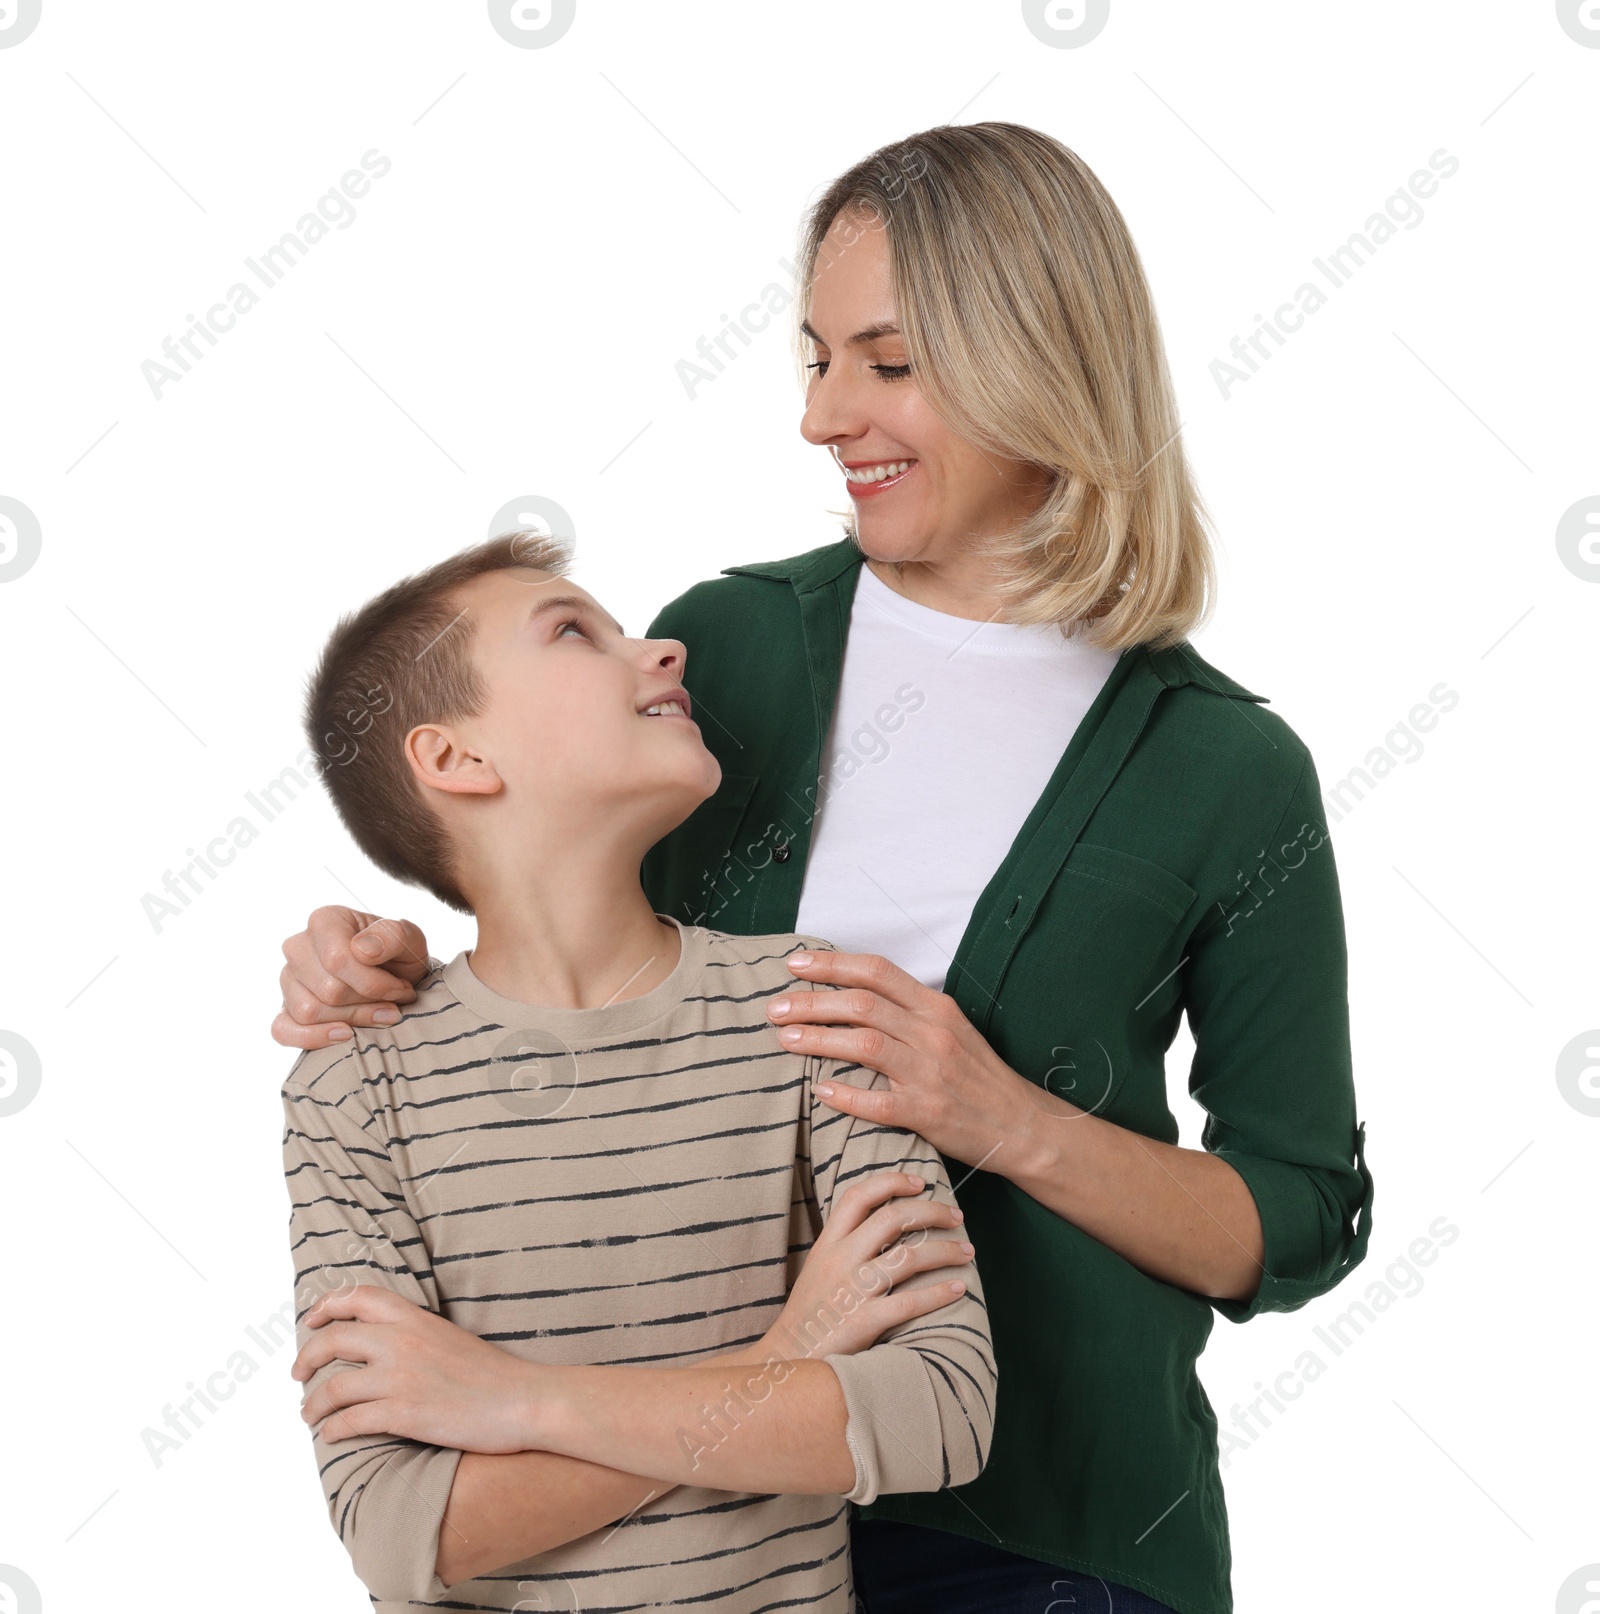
[971, 745]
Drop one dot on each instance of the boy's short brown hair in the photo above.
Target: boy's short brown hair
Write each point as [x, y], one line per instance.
[406, 659]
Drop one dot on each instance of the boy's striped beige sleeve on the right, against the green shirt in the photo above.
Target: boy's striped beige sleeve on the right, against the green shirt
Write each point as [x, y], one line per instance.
[921, 1402]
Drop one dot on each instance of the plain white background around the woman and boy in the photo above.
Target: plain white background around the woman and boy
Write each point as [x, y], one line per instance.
[505, 319]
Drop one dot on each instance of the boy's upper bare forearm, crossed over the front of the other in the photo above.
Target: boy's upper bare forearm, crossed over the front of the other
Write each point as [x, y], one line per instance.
[768, 1426]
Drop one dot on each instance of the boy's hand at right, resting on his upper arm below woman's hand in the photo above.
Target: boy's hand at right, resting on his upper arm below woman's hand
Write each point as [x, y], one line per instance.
[842, 1302]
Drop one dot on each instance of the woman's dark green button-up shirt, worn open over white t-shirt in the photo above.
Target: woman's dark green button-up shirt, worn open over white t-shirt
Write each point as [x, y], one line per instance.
[1178, 863]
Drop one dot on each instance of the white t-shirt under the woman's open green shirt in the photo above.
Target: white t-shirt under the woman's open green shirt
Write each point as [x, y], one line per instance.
[945, 735]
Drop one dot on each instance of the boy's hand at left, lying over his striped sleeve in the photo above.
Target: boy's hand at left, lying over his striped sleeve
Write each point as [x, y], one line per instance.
[425, 1379]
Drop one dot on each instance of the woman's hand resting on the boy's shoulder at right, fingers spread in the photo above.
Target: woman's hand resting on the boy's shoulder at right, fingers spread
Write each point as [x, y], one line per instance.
[945, 1082]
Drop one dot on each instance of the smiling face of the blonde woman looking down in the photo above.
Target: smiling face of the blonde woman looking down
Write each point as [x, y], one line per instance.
[919, 491]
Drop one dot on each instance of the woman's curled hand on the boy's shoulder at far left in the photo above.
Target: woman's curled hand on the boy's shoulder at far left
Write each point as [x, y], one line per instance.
[346, 969]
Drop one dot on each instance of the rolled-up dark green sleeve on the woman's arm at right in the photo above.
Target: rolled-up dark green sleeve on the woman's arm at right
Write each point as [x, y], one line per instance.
[1268, 1006]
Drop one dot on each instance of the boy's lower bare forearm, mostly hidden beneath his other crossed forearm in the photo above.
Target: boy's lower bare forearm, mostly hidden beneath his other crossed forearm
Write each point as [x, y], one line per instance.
[505, 1508]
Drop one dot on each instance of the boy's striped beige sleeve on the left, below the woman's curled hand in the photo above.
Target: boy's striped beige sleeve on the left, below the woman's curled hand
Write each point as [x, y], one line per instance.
[350, 1224]
